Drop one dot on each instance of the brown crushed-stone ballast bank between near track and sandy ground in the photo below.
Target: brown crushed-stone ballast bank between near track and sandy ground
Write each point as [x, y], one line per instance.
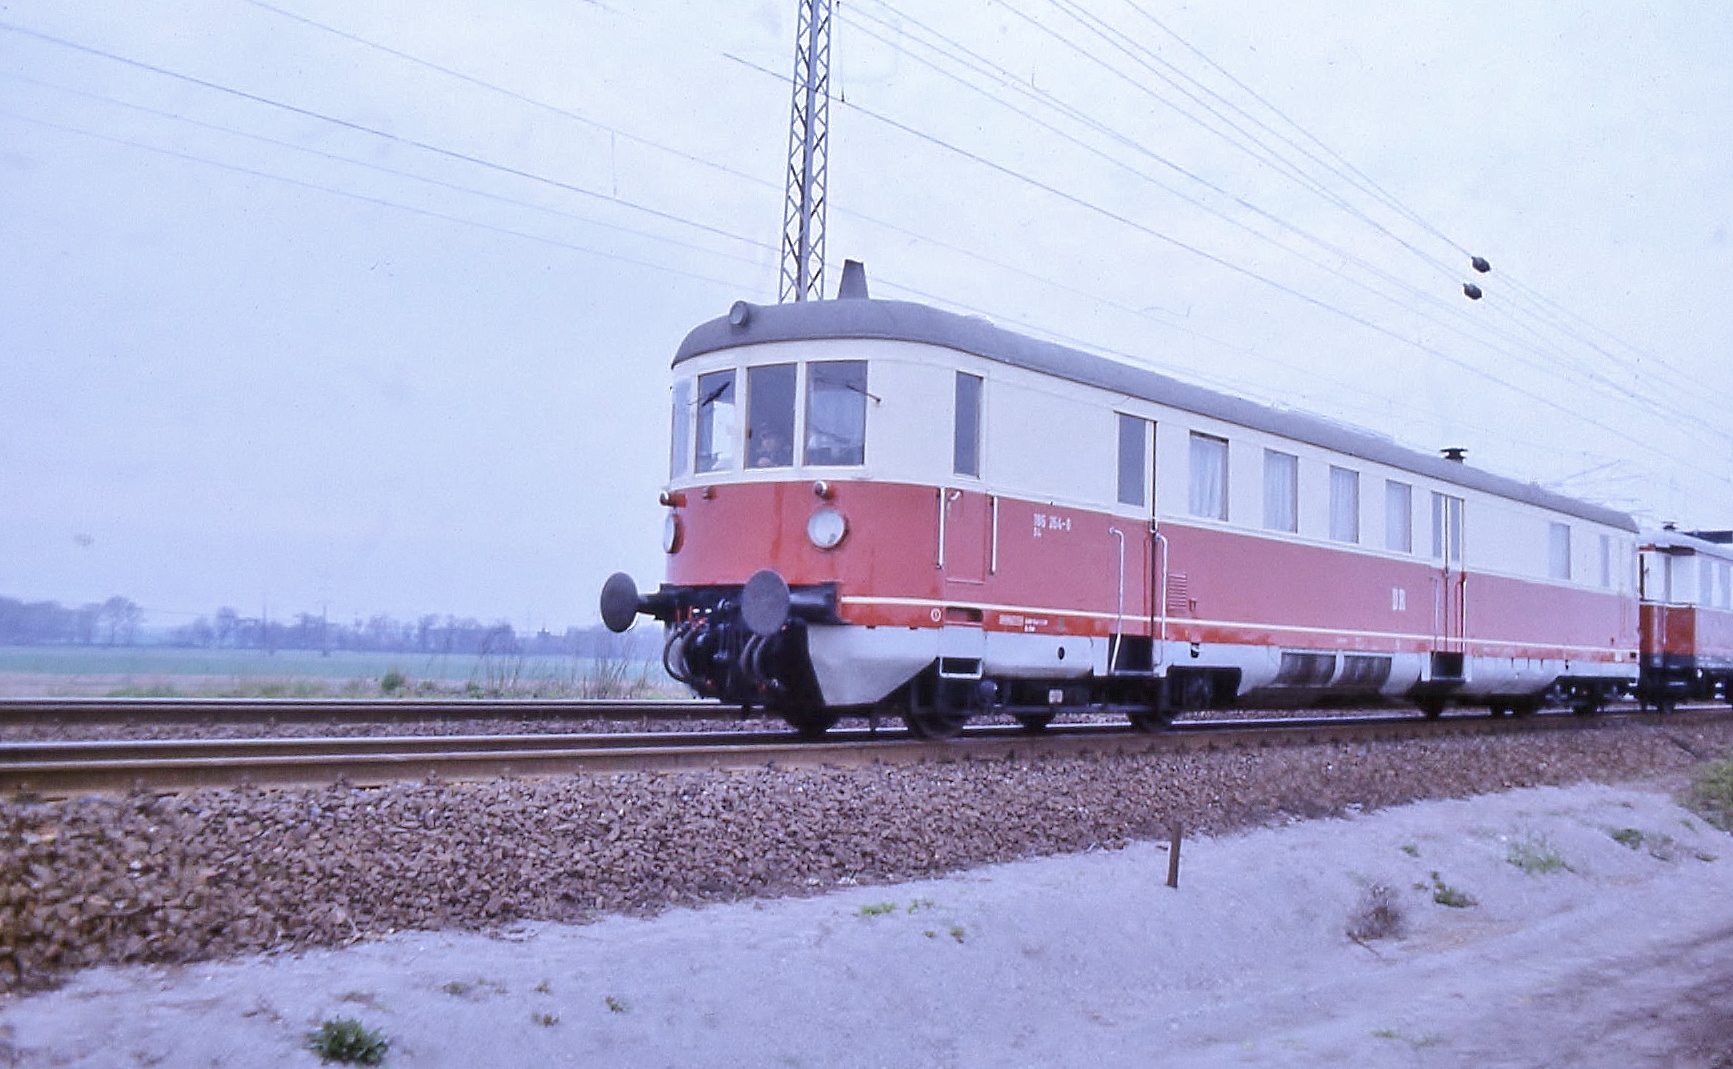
[224, 872]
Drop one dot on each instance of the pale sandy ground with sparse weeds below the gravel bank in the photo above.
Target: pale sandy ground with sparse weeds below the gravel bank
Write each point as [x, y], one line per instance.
[1600, 936]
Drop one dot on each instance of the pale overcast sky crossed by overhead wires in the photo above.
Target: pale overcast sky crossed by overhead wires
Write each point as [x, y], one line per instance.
[370, 308]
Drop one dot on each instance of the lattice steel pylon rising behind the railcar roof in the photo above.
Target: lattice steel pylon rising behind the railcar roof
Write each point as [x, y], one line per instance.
[803, 226]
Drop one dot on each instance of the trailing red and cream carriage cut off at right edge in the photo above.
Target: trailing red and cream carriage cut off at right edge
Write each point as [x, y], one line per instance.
[1687, 616]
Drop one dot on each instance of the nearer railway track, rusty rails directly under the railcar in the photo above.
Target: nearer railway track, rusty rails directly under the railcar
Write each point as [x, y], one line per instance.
[55, 770]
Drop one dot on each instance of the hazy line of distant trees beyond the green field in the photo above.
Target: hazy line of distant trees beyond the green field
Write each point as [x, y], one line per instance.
[117, 623]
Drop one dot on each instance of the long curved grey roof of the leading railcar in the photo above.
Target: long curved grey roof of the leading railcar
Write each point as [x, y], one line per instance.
[904, 321]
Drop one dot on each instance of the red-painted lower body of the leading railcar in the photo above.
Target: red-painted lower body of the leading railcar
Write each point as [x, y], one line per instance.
[1056, 571]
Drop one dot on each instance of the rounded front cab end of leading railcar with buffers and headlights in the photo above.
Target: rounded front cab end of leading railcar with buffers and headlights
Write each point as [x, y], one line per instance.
[760, 450]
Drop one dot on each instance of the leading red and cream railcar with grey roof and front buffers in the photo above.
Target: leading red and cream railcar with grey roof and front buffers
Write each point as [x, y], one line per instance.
[878, 505]
